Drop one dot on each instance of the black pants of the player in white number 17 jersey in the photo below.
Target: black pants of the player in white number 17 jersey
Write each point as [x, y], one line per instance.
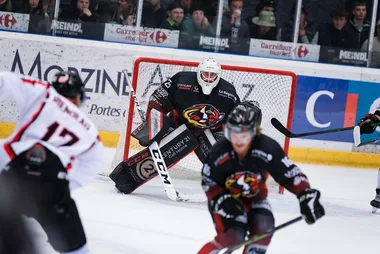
[49, 202]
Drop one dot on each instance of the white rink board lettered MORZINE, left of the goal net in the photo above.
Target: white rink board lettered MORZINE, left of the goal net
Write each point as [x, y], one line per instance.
[107, 90]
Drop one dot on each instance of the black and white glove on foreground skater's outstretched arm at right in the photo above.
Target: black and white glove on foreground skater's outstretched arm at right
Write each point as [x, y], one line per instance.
[311, 209]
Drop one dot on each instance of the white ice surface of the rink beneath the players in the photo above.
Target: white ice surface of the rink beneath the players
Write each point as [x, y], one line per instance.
[147, 222]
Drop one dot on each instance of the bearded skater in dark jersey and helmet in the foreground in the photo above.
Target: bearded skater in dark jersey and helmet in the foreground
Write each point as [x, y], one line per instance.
[234, 177]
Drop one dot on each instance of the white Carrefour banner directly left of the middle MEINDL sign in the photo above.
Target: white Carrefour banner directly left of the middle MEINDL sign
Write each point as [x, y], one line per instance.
[141, 35]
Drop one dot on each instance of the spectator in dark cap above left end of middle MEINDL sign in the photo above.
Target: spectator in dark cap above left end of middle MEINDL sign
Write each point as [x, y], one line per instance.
[196, 26]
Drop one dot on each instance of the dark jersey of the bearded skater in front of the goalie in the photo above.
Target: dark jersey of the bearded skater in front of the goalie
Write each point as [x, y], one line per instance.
[223, 169]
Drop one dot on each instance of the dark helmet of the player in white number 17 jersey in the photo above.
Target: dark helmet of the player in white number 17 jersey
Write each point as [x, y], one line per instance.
[68, 84]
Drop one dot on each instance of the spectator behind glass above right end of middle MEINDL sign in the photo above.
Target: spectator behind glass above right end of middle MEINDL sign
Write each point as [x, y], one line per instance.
[232, 25]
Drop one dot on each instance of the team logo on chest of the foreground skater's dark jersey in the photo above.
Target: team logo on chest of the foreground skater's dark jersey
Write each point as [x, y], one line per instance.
[243, 184]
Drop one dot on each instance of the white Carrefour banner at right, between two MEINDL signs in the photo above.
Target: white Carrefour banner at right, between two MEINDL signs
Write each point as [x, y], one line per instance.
[284, 50]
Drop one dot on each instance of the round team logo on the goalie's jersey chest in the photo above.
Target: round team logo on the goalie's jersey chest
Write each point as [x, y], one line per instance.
[203, 115]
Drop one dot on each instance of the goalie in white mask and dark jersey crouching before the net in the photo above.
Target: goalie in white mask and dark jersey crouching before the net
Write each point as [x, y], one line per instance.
[200, 100]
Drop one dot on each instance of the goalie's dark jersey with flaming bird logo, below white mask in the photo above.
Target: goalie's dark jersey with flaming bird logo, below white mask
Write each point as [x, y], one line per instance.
[182, 95]
